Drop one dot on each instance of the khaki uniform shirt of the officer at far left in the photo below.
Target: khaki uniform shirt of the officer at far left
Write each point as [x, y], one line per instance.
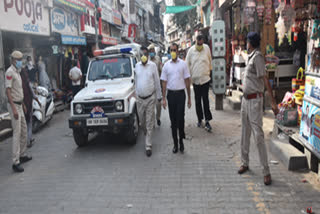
[13, 80]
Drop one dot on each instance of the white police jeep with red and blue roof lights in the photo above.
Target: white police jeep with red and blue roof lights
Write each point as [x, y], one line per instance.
[108, 102]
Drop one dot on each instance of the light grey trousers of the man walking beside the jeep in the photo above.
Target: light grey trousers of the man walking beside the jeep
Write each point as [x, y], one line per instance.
[146, 114]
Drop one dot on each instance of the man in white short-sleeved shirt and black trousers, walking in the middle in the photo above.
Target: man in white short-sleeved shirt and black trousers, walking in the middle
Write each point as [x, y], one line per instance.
[176, 78]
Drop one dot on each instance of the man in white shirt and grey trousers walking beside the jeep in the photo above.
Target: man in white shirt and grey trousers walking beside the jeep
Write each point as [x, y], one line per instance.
[147, 90]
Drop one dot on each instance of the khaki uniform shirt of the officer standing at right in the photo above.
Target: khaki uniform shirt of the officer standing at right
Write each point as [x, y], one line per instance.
[253, 81]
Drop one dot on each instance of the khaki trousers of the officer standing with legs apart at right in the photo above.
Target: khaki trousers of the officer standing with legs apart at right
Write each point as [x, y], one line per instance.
[251, 118]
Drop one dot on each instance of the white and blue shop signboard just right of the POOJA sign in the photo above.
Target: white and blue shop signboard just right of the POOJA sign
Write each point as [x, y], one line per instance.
[64, 22]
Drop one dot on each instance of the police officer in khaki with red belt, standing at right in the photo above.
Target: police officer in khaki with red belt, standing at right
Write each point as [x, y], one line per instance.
[255, 80]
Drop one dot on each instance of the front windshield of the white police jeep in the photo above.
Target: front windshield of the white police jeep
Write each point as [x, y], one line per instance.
[110, 68]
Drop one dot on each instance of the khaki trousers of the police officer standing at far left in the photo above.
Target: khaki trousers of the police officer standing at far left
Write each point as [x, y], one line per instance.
[19, 139]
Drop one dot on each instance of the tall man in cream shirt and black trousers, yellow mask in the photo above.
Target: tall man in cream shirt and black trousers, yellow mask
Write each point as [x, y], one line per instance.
[199, 63]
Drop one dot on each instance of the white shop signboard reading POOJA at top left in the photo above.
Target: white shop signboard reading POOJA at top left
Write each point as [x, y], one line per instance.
[24, 16]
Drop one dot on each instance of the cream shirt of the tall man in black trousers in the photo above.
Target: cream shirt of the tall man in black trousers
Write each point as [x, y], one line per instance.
[199, 64]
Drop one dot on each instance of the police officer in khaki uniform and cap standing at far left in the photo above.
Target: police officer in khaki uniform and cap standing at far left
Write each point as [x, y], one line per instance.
[14, 91]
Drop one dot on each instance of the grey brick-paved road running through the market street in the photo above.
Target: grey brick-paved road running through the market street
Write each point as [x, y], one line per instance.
[109, 176]
